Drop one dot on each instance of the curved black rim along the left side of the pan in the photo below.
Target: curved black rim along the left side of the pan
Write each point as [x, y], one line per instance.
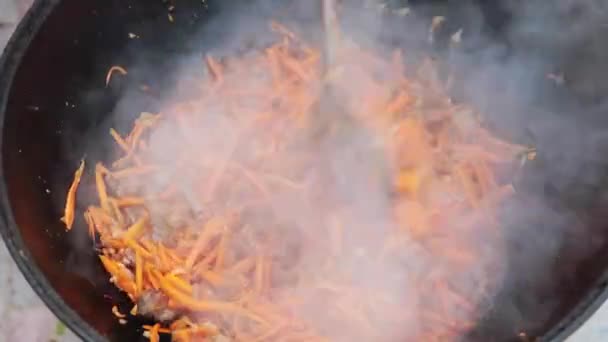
[9, 63]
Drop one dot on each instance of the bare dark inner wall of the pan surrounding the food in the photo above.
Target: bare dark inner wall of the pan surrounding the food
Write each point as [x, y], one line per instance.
[54, 109]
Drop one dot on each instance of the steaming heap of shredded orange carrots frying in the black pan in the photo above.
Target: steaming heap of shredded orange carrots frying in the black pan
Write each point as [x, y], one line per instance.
[237, 214]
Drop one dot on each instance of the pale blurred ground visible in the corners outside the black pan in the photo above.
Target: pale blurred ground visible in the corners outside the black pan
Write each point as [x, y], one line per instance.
[23, 317]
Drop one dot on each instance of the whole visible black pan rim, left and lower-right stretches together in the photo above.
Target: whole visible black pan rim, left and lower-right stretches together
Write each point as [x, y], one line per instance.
[9, 63]
